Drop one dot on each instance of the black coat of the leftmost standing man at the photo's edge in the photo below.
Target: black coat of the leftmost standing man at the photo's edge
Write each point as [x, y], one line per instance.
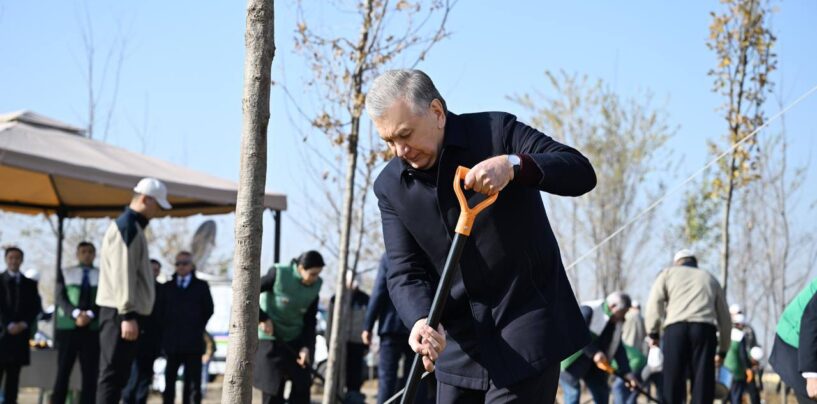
[25, 307]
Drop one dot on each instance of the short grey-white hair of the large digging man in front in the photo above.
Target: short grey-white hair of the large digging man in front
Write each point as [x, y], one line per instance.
[413, 86]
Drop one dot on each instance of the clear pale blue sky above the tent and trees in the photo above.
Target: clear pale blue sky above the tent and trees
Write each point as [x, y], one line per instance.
[184, 61]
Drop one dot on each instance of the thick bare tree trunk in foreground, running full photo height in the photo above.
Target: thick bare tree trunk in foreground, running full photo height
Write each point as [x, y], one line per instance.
[260, 49]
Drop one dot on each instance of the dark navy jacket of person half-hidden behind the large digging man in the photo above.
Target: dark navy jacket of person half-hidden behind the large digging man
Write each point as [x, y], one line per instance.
[381, 308]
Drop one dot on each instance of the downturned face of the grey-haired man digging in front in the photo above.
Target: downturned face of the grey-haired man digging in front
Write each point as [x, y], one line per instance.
[415, 138]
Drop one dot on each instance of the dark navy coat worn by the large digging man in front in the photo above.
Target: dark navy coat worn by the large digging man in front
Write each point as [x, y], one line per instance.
[511, 313]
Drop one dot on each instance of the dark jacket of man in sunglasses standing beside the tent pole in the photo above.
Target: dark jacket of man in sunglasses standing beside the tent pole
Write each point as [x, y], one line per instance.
[185, 315]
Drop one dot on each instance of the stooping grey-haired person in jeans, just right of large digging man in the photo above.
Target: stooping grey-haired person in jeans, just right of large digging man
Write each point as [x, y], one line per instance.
[604, 318]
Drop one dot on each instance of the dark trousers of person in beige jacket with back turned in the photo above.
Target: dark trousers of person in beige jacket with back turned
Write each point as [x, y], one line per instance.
[689, 349]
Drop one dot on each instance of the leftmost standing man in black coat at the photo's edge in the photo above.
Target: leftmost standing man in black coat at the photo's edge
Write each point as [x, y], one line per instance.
[19, 307]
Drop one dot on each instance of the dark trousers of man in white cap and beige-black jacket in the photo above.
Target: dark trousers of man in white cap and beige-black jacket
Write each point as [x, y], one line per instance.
[115, 357]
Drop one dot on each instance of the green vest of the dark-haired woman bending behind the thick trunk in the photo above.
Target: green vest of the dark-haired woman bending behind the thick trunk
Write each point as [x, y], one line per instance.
[288, 302]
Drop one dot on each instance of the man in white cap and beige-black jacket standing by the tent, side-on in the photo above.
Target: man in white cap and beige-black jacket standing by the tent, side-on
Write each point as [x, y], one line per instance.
[126, 290]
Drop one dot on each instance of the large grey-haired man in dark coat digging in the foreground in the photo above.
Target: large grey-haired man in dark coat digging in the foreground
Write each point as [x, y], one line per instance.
[511, 315]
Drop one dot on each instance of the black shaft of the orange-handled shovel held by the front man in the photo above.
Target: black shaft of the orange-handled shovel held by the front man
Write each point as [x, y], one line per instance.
[437, 305]
